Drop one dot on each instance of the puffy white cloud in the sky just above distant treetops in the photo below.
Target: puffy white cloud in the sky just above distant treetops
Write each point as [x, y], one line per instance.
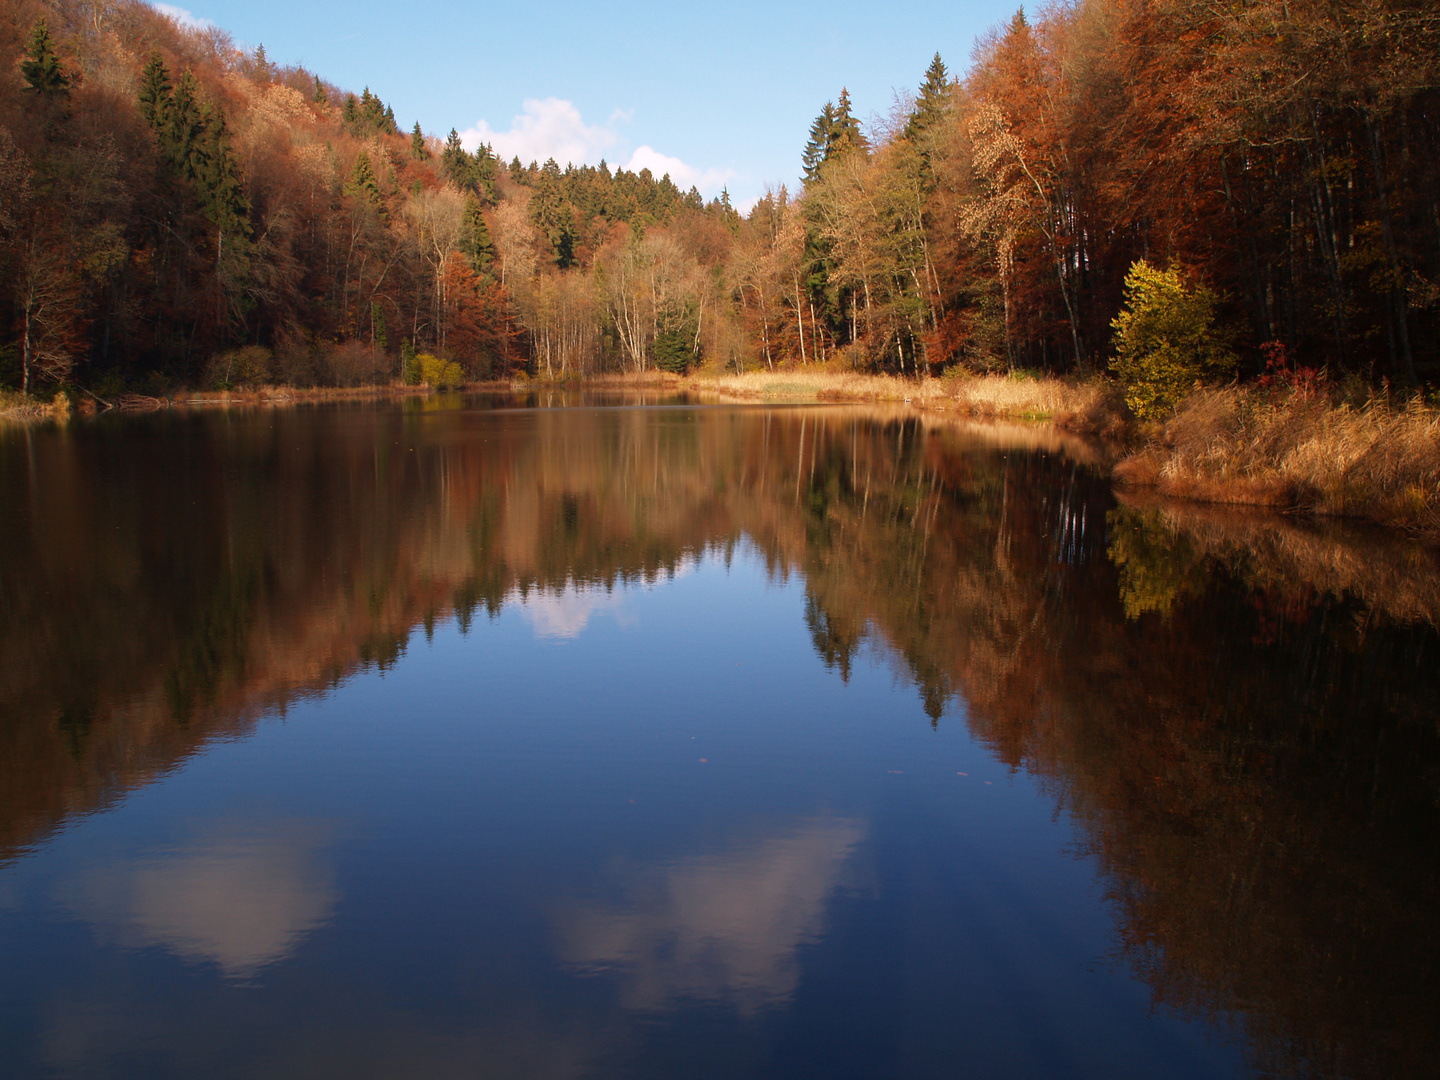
[554, 127]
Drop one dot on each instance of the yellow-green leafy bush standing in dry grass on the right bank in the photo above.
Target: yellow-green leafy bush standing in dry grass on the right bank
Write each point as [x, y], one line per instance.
[1166, 341]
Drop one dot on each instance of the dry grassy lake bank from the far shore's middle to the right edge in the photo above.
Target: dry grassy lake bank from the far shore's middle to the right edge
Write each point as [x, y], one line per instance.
[1369, 457]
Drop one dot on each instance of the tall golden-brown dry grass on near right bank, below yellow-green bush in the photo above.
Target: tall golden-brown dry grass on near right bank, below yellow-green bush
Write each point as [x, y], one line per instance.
[1379, 463]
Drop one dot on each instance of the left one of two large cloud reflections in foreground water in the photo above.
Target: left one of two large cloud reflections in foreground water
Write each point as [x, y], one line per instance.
[243, 896]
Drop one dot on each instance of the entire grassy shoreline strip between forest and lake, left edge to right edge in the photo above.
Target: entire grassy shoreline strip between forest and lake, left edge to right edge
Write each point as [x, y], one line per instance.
[1232, 447]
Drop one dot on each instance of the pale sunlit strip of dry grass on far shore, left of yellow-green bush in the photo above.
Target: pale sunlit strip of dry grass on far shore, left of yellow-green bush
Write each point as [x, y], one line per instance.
[1078, 405]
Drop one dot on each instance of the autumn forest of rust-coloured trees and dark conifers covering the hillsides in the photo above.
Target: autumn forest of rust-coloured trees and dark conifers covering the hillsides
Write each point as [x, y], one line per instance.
[176, 212]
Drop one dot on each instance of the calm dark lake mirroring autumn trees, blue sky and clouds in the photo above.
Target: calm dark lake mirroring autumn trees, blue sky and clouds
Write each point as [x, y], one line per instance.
[464, 738]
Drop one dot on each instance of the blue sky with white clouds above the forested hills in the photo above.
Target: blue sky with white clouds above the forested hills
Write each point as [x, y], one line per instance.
[715, 94]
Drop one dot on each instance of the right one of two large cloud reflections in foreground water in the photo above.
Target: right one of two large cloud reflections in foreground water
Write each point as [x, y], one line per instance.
[718, 928]
